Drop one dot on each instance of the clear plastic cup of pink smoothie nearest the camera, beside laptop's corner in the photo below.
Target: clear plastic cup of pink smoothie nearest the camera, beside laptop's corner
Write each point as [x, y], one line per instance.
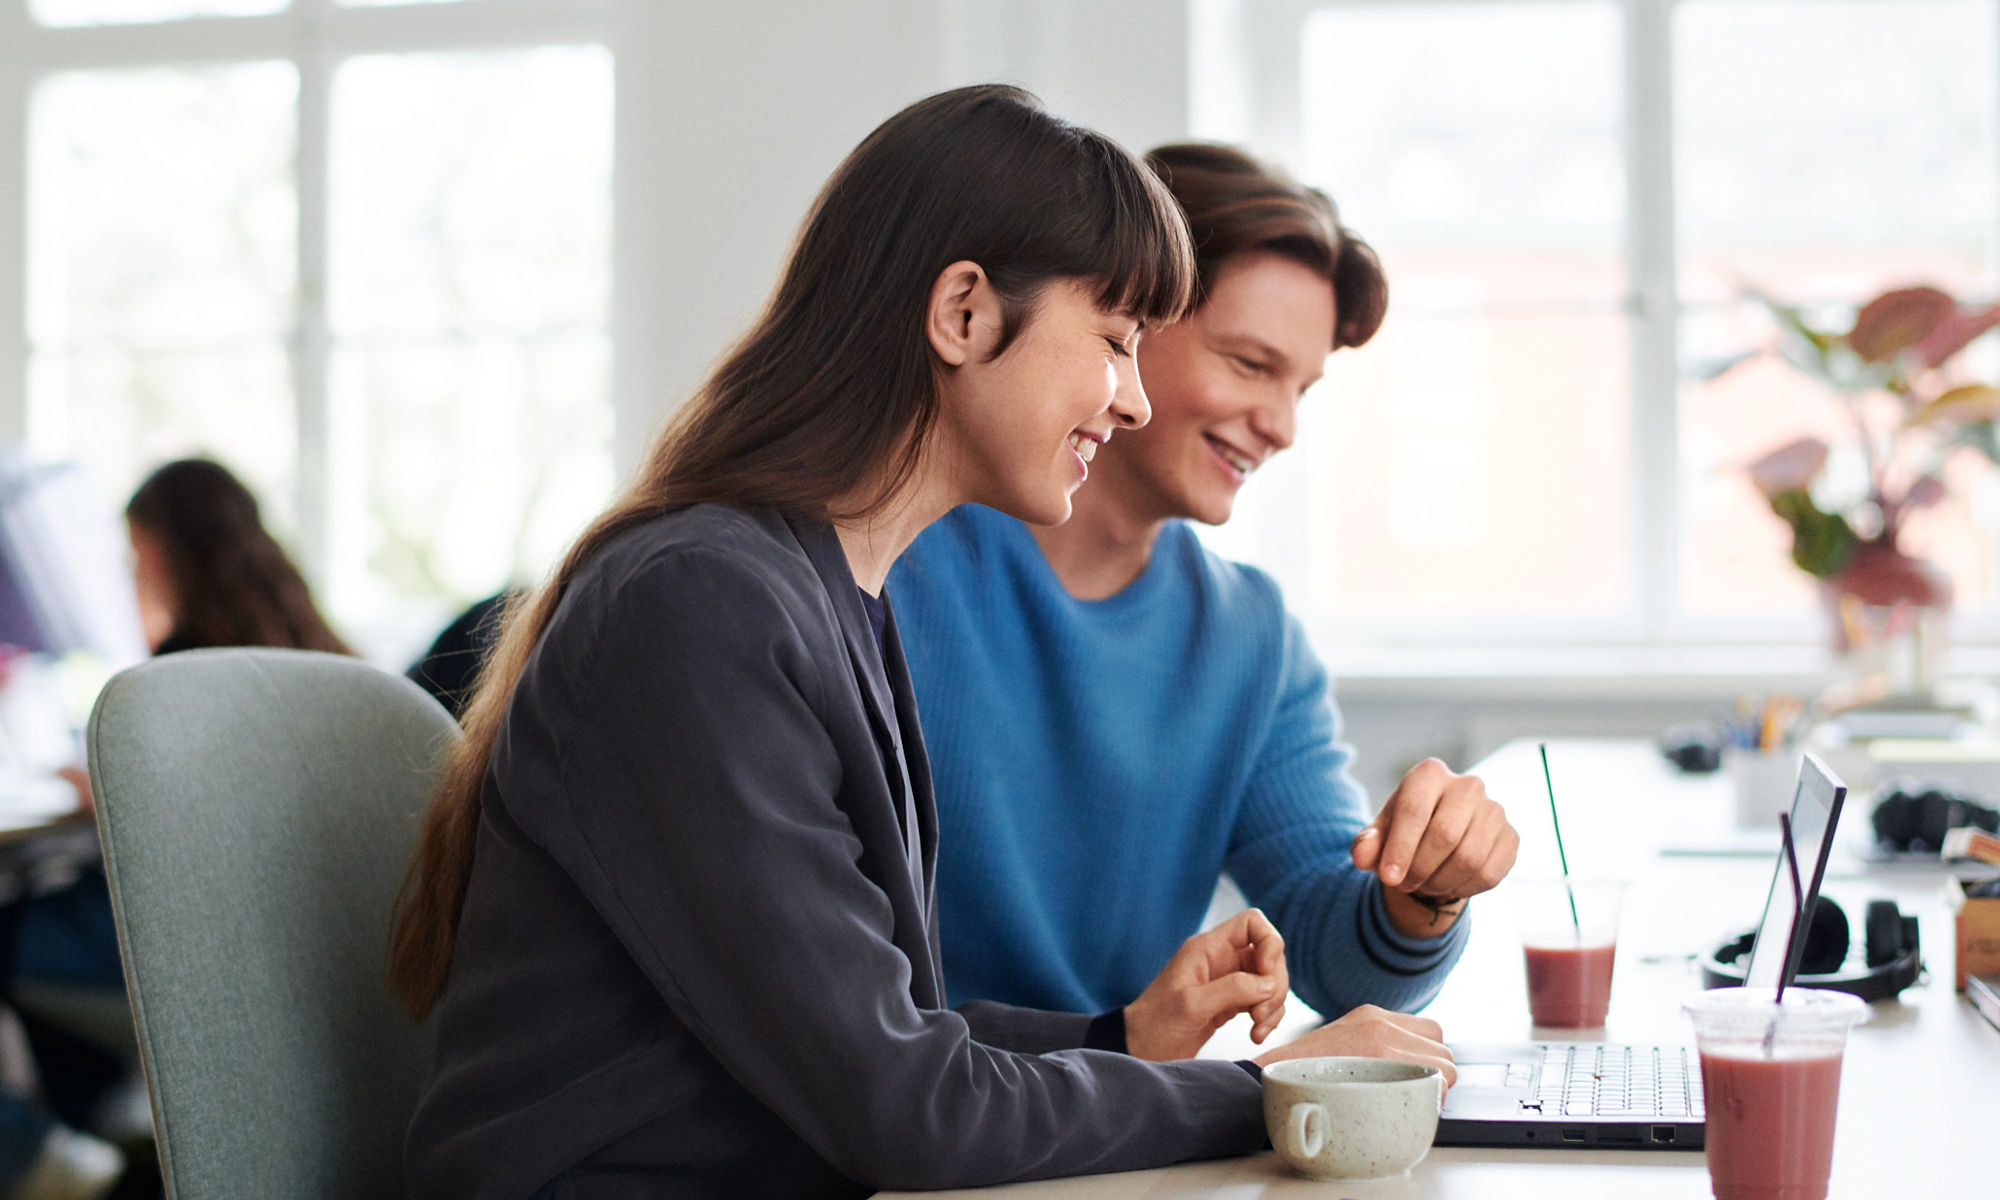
[1771, 1081]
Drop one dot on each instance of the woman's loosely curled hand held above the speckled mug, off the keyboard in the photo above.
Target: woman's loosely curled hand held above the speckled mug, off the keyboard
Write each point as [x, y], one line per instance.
[1237, 967]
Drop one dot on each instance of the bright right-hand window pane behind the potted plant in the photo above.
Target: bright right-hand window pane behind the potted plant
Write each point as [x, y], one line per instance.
[1797, 181]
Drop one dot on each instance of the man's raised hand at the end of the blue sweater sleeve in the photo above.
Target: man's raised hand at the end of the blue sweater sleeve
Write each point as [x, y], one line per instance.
[1437, 841]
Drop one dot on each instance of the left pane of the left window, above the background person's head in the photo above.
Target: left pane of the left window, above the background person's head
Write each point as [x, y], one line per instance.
[161, 313]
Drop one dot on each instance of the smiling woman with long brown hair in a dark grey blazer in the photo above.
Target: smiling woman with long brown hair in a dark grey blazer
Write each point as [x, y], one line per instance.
[673, 903]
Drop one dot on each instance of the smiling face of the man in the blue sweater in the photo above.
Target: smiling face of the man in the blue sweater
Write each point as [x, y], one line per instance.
[1225, 389]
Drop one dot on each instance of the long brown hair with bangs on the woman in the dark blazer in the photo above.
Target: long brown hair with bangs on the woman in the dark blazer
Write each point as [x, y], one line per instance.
[835, 385]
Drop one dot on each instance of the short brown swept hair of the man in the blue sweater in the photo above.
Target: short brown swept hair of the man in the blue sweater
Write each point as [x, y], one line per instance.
[1241, 205]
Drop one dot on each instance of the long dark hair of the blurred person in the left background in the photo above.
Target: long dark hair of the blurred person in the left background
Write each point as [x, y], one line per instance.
[233, 581]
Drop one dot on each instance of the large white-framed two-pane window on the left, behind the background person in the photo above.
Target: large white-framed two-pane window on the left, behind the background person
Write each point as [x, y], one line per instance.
[357, 251]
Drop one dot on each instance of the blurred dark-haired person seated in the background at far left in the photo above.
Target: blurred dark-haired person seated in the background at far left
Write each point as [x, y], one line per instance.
[207, 575]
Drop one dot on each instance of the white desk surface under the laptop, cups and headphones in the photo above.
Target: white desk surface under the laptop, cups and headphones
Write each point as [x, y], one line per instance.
[1921, 1083]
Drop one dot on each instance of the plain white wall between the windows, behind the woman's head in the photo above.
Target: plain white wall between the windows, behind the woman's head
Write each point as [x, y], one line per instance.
[733, 115]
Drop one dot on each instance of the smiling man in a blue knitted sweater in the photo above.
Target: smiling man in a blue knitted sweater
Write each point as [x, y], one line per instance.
[1119, 717]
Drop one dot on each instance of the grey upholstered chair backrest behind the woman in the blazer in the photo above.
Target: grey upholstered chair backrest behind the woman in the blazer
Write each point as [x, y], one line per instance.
[257, 811]
